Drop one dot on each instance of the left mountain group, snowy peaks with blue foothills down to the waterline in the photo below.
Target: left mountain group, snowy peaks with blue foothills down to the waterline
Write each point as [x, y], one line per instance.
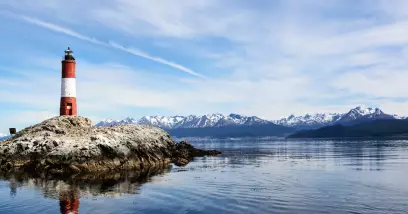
[210, 125]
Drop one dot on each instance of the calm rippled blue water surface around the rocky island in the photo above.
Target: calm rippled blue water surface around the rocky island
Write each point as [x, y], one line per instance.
[252, 176]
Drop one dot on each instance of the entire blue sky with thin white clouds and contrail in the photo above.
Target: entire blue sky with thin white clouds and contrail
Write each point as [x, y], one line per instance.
[181, 57]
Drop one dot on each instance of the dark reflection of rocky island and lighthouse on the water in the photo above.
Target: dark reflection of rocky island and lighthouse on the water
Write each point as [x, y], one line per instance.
[68, 191]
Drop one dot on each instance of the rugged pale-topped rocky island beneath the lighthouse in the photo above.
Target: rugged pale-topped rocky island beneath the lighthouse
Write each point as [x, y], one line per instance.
[71, 144]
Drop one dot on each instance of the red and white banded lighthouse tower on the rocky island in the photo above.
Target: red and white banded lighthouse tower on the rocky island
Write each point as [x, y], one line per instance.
[68, 104]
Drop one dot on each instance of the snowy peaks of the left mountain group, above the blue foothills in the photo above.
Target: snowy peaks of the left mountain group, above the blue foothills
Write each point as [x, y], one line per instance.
[192, 121]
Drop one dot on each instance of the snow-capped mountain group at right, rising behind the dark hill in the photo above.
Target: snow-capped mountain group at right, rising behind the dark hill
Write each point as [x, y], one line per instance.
[356, 115]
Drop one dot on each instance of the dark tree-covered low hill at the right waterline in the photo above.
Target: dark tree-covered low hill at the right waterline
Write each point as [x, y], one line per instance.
[377, 128]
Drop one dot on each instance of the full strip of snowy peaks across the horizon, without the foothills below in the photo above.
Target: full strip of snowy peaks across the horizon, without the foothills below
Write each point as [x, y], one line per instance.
[308, 121]
